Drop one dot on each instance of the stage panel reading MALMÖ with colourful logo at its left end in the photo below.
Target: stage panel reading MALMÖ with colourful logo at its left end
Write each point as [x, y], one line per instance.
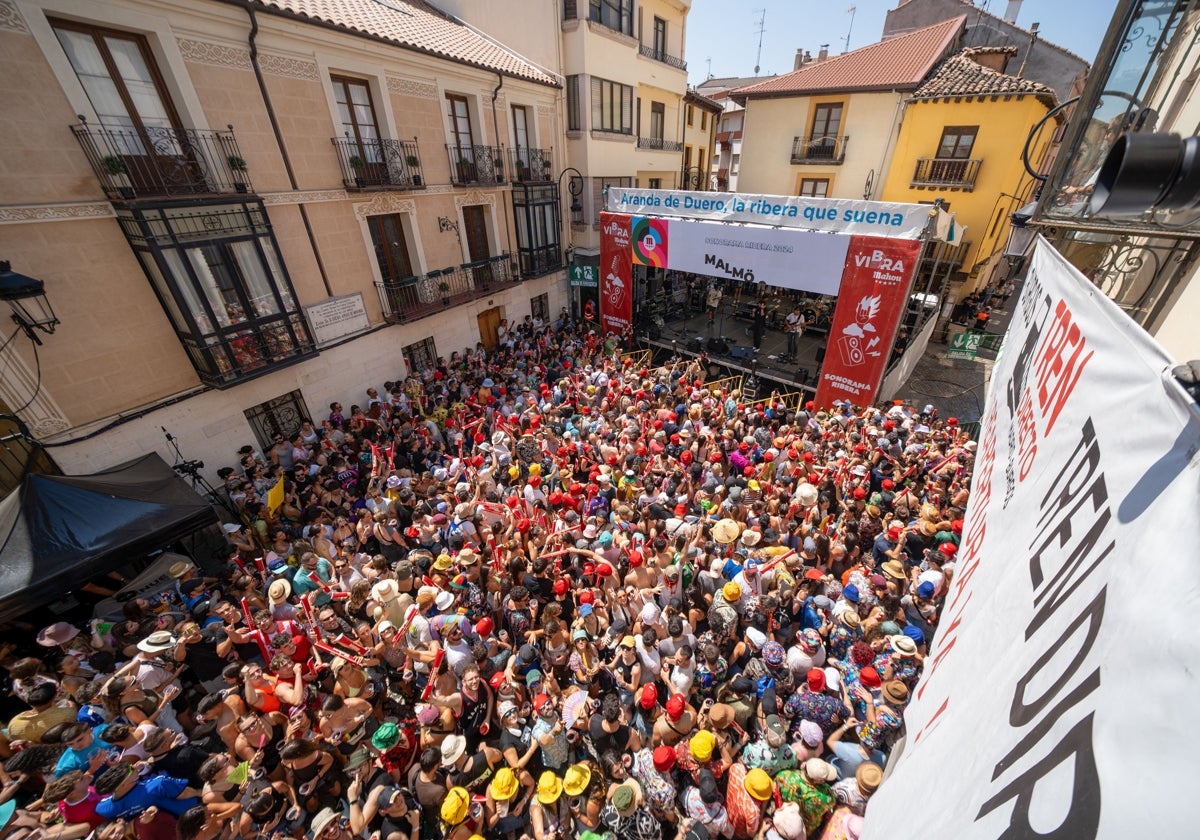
[789, 259]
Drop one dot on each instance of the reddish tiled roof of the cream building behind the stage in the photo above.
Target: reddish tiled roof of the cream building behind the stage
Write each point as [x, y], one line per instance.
[896, 64]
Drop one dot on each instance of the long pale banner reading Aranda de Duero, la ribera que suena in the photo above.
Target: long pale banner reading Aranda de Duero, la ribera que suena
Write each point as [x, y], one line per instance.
[832, 215]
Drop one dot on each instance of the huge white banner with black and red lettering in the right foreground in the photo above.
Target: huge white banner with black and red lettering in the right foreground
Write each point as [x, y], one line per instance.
[1054, 699]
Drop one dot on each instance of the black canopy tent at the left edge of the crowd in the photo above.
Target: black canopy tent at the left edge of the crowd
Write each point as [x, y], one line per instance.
[59, 531]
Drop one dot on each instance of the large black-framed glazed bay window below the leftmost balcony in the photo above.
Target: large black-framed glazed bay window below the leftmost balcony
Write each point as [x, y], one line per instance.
[220, 277]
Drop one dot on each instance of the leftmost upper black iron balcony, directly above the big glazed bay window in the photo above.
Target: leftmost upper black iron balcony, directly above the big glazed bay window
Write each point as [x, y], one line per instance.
[161, 163]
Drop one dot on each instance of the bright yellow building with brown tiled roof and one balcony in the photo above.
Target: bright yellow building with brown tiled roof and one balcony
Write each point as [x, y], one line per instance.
[962, 141]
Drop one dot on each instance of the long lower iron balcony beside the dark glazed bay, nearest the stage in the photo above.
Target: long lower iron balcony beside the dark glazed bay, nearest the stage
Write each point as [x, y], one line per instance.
[412, 298]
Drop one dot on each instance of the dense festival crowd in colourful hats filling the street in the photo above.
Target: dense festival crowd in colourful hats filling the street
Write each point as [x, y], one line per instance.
[537, 593]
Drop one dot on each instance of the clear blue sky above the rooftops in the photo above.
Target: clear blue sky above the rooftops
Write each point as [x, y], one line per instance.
[727, 32]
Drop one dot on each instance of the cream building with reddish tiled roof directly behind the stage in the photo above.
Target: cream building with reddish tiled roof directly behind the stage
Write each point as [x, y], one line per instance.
[829, 129]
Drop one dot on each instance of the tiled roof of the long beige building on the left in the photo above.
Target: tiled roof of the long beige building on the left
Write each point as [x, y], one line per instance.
[412, 25]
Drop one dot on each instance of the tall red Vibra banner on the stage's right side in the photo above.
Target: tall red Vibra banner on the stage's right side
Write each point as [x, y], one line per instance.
[871, 302]
